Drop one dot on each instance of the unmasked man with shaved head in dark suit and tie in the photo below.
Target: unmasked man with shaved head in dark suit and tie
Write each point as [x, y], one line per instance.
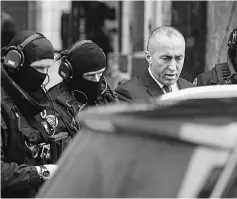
[165, 55]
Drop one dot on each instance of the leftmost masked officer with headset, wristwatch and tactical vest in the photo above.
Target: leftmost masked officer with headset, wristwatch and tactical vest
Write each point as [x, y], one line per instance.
[32, 130]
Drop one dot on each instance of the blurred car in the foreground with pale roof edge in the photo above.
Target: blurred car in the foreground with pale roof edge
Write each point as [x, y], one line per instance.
[184, 145]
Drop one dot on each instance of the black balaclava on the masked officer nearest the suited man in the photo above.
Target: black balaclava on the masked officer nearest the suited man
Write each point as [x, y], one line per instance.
[87, 58]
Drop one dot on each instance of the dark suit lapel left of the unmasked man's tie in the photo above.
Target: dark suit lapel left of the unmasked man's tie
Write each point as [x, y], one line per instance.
[152, 88]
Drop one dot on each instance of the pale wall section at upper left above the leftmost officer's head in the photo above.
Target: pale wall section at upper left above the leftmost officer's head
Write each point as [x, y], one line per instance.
[41, 16]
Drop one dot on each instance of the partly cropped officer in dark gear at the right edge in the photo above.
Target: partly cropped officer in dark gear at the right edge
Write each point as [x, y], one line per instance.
[222, 73]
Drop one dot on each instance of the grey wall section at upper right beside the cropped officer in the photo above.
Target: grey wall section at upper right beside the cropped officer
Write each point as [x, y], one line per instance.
[221, 19]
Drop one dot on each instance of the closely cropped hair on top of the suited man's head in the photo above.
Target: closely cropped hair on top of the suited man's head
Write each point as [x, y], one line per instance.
[158, 33]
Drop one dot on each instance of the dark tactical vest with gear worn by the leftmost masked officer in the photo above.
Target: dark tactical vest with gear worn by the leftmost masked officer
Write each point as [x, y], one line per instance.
[33, 133]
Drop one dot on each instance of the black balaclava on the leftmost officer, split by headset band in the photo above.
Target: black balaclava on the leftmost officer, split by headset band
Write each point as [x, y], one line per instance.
[27, 77]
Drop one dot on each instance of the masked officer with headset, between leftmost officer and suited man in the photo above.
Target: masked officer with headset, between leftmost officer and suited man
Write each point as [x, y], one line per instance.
[82, 68]
